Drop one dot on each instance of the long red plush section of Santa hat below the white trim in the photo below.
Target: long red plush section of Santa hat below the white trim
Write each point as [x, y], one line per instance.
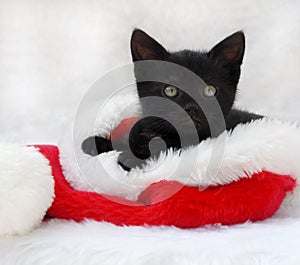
[256, 198]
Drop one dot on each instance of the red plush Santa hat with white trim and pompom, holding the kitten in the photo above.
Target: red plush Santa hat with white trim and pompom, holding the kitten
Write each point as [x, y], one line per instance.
[259, 171]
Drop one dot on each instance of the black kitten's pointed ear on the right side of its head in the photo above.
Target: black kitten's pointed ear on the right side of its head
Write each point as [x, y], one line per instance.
[229, 51]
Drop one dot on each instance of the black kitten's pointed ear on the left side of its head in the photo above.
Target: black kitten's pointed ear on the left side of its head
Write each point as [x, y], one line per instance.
[143, 47]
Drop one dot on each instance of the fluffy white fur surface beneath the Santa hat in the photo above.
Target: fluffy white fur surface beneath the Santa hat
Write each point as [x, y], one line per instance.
[272, 242]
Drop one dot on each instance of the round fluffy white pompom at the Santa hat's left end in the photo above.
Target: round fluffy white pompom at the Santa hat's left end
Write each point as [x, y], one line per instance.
[26, 188]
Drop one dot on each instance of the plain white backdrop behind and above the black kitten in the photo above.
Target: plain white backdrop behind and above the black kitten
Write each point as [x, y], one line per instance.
[52, 51]
